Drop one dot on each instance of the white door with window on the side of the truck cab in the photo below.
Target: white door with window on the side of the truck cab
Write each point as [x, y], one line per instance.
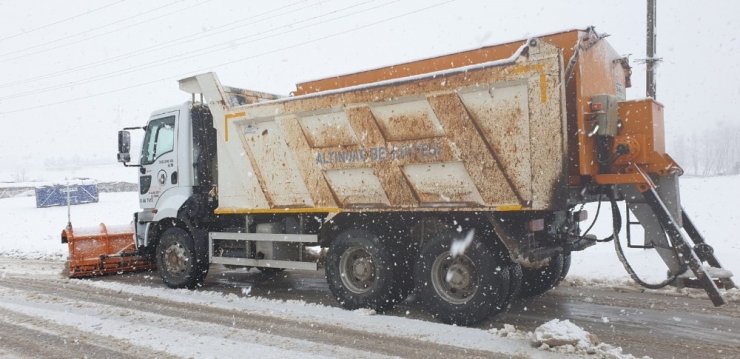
[158, 159]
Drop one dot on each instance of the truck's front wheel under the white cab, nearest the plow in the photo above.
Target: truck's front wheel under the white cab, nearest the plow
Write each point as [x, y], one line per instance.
[177, 261]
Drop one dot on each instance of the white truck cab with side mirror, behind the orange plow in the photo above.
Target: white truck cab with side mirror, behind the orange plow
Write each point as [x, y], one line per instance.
[168, 169]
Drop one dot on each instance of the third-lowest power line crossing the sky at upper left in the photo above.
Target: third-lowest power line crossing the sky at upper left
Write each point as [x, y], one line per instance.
[161, 46]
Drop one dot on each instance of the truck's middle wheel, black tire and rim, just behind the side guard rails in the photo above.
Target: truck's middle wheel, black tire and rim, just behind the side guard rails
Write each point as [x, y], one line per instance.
[362, 273]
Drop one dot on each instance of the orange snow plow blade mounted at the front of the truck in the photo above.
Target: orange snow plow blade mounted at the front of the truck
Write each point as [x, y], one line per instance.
[103, 250]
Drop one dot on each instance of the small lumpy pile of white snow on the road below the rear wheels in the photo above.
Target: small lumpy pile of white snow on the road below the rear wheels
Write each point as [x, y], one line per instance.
[564, 337]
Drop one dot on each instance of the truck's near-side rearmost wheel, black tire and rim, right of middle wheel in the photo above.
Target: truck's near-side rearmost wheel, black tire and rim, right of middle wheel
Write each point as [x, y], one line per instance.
[483, 281]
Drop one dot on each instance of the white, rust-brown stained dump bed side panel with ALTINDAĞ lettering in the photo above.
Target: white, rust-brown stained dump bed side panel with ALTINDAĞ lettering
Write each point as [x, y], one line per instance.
[489, 137]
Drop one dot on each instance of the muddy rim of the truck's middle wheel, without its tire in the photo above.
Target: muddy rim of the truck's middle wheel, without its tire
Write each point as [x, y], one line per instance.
[357, 270]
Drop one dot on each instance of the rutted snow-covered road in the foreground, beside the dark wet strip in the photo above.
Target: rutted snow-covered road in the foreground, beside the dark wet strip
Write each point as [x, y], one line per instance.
[107, 318]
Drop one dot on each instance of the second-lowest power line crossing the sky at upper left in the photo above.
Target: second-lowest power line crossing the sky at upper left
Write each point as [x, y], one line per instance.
[204, 50]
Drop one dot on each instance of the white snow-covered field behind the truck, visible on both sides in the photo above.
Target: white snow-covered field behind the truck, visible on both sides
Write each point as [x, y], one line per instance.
[32, 232]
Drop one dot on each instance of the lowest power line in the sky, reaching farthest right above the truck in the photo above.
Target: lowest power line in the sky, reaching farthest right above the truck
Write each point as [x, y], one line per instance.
[182, 75]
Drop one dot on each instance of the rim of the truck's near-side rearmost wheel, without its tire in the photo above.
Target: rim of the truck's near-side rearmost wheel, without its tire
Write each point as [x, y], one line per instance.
[454, 279]
